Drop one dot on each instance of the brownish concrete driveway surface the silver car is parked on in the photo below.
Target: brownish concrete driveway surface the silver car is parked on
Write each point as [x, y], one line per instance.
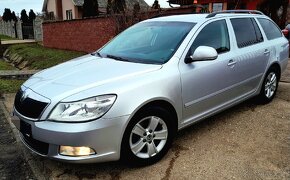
[248, 141]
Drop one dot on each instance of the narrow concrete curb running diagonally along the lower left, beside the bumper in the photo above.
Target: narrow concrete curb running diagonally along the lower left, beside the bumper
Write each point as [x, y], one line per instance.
[27, 155]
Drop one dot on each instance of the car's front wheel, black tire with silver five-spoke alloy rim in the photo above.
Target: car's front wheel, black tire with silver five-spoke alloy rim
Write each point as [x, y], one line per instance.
[147, 137]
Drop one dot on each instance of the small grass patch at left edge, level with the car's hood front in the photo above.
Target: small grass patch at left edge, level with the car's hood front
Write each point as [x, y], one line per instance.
[10, 86]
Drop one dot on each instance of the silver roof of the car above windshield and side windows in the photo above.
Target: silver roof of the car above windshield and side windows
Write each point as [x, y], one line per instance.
[200, 18]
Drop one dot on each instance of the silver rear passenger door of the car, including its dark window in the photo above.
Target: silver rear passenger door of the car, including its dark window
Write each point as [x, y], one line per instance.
[252, 54]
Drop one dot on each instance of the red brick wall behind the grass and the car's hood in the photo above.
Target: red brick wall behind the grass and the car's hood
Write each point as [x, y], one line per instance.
[86, 35]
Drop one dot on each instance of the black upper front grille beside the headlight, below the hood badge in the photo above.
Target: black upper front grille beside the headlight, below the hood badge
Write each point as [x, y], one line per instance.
[28, 107]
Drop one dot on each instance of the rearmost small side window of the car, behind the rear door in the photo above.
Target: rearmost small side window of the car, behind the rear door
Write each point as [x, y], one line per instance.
[270, 29]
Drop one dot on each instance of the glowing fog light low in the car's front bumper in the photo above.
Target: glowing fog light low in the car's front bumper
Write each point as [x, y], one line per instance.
[76, 151]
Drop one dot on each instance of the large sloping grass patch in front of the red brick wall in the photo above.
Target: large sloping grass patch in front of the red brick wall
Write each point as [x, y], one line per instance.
[40, 57]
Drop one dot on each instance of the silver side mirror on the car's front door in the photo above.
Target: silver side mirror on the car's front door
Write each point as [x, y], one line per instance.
[202, 53]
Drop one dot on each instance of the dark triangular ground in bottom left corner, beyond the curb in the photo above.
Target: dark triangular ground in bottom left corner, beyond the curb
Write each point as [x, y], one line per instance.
[12, 162]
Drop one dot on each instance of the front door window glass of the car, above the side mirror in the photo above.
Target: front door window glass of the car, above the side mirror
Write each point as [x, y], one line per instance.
[214, 35]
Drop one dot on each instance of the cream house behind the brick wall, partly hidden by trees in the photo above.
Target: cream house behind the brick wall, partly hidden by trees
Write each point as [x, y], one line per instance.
[73, 9]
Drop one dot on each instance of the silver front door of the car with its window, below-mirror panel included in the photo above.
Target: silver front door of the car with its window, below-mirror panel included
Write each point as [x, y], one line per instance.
[207, 85]
